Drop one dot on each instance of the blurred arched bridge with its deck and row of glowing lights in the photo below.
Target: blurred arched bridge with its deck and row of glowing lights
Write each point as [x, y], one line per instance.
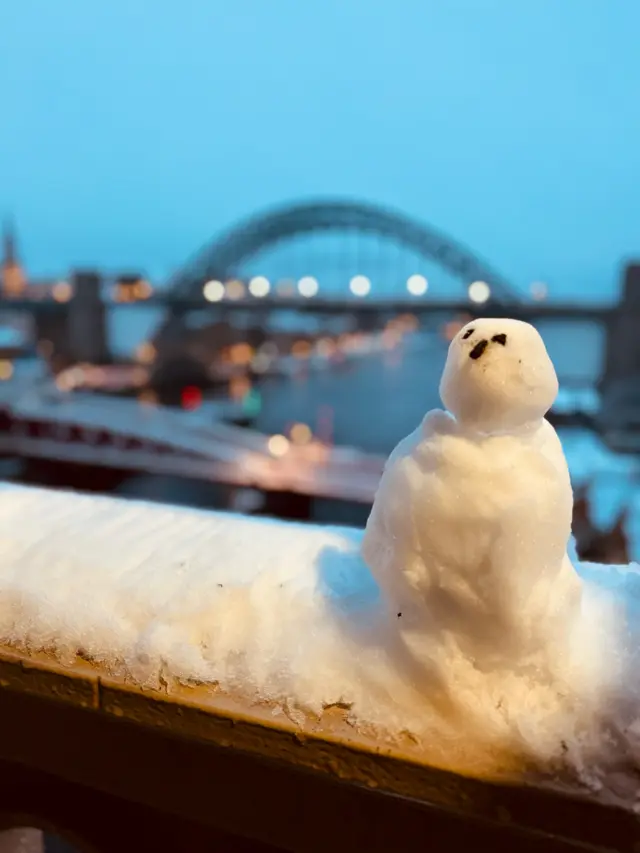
[376, 262]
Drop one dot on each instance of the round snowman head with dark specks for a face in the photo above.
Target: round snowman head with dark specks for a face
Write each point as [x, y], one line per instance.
[498, 376]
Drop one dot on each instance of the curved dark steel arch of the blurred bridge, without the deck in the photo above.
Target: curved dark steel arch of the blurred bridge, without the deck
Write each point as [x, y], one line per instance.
[221, 258]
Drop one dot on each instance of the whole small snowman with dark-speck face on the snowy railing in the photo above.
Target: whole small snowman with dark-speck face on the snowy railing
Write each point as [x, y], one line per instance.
[468, 534]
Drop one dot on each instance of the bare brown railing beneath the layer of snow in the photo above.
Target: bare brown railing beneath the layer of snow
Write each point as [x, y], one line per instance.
[117, 768]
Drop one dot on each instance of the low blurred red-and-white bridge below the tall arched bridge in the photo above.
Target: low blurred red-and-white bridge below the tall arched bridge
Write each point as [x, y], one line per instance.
[123, 435]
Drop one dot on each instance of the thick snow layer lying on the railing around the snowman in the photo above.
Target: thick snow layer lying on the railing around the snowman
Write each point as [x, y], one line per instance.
[275, 612]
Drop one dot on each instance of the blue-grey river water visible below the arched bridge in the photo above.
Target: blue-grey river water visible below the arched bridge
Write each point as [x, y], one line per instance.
[376, 400]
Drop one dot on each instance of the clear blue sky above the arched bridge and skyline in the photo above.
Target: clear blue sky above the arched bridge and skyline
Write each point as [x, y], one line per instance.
[134, 131]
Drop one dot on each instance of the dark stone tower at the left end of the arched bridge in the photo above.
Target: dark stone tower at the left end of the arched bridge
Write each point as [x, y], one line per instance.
[86, 320]
